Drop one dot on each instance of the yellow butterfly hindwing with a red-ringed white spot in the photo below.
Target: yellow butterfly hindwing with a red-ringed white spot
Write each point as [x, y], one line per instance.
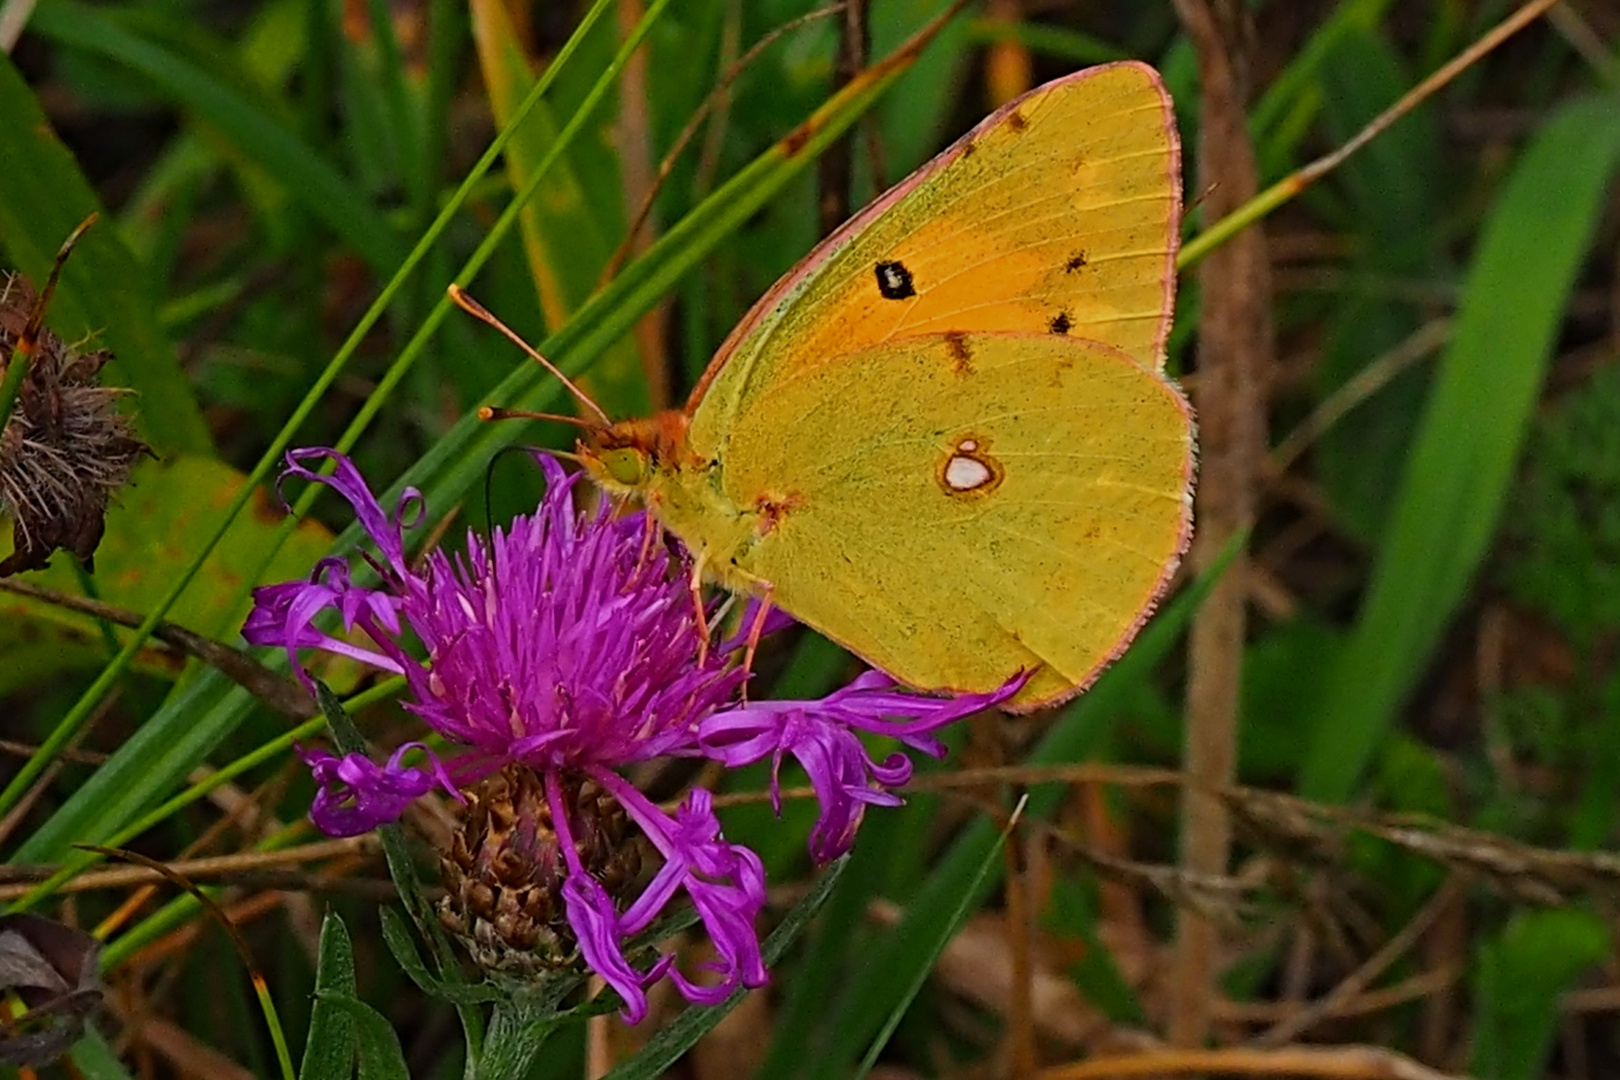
[1018, 503]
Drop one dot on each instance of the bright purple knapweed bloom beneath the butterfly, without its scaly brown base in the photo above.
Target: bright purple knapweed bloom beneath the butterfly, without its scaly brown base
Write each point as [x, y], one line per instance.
[568, 645]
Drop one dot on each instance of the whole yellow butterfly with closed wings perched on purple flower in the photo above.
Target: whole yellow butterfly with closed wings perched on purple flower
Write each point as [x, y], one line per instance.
[945, 440]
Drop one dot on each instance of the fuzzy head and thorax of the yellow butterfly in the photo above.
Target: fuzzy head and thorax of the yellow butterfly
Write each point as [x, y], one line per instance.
[650, 461]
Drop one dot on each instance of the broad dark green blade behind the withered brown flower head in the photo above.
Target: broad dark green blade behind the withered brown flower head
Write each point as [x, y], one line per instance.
[104, 291]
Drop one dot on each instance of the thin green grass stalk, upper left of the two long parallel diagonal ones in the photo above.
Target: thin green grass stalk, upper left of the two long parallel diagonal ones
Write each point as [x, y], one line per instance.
[85, 707]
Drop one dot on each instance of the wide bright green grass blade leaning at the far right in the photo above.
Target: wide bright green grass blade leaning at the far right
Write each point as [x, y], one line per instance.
[1462, 462]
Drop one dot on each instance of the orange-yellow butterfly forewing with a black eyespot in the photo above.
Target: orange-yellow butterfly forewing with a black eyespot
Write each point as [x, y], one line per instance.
[1059, 215]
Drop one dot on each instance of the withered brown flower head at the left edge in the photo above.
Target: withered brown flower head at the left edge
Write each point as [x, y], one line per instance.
[67, 448]
